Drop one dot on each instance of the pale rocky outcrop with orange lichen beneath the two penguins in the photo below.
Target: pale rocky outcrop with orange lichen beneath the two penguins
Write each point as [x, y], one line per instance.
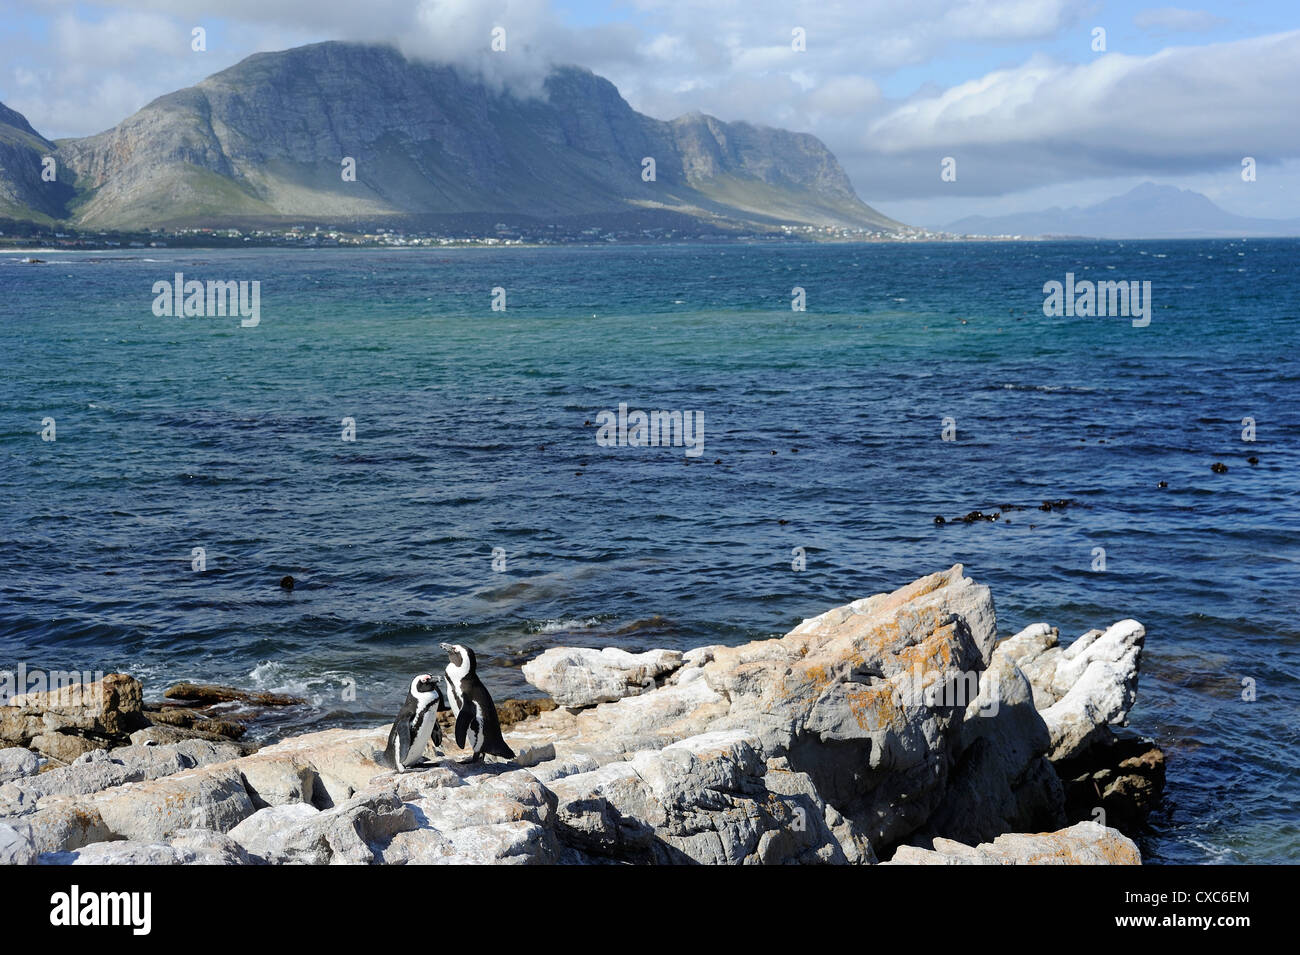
[892, 728]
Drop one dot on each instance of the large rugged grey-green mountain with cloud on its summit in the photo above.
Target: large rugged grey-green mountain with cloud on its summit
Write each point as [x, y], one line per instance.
[263, 142]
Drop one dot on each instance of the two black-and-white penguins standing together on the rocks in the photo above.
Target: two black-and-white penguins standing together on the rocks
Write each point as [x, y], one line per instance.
[478, 727]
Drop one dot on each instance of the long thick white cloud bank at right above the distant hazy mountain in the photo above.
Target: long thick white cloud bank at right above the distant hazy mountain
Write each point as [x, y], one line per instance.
[1180, 111]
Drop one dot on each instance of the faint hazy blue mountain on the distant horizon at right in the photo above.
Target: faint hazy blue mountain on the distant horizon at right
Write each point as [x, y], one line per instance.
[1145, 212]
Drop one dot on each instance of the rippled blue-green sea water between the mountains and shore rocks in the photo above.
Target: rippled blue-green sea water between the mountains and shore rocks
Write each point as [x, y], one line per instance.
[475, 431]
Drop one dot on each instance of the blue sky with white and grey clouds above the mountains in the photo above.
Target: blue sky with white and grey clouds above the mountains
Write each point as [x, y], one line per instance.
[1012, 89]
